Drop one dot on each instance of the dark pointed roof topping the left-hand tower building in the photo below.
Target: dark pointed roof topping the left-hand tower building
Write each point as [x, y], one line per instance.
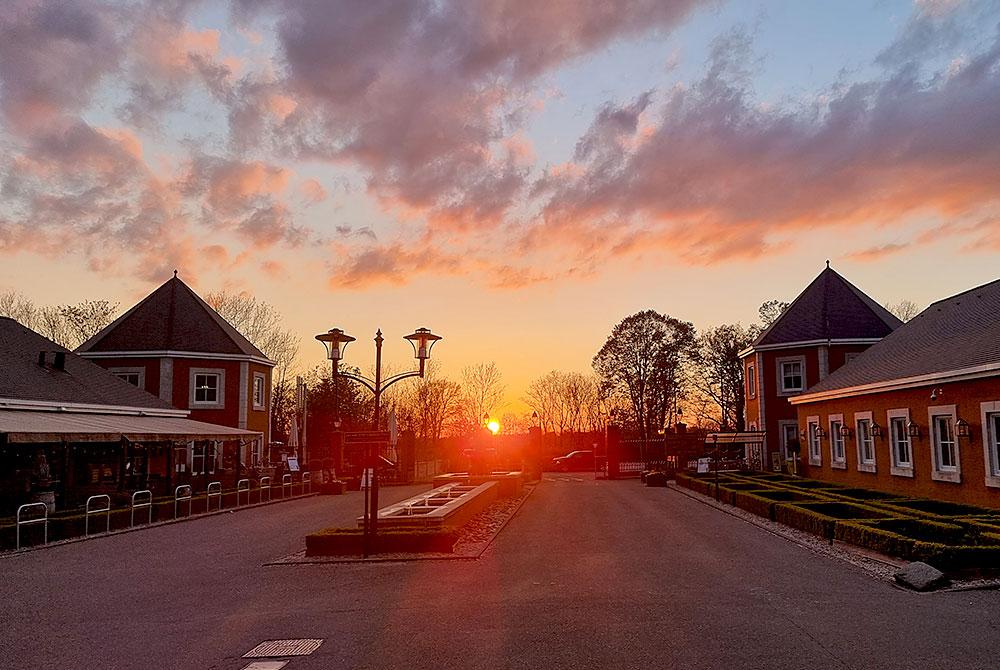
[171, 318]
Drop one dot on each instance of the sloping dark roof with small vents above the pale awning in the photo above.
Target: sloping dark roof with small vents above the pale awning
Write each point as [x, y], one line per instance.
[22, 378]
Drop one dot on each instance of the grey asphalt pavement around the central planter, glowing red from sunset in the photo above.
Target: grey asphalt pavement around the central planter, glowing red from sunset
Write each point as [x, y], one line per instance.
[587, 575]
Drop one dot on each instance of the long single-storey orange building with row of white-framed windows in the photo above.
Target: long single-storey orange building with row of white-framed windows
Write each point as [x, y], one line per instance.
[919, 412]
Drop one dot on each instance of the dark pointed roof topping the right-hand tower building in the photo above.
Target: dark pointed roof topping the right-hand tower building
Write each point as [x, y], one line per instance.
[830, 308]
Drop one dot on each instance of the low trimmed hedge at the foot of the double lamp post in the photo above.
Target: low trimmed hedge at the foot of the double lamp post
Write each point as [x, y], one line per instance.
[350, 541]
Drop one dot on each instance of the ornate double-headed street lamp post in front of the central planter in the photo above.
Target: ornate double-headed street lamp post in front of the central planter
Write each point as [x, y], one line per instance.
[336, 340]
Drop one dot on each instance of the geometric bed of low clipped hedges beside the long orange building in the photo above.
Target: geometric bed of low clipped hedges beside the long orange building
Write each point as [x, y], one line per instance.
[952, 537]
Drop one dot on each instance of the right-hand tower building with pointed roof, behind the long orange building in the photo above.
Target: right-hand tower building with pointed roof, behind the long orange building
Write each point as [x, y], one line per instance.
[827, 325]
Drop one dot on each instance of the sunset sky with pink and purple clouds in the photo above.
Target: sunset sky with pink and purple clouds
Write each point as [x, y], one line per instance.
[517, 176]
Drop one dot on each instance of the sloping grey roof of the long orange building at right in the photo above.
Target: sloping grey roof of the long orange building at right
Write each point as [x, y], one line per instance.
[956, 333]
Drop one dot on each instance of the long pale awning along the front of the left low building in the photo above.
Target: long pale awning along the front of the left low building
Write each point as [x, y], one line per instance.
[34, 427]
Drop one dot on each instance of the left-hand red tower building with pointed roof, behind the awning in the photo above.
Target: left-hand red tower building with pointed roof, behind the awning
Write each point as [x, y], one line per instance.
[174, 345]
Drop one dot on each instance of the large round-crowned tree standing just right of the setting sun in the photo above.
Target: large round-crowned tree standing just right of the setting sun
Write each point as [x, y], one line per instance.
[643, 359]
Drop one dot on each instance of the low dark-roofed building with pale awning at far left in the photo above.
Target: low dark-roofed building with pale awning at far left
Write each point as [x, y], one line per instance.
[70, 429]
